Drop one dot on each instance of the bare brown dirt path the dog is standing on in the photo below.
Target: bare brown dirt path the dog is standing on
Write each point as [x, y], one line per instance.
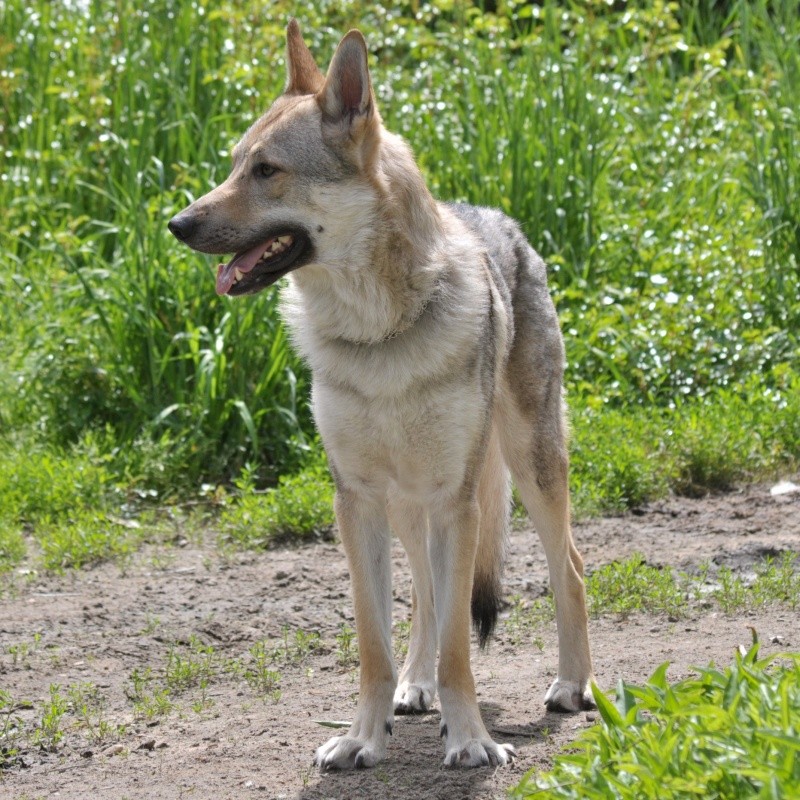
[99, 625]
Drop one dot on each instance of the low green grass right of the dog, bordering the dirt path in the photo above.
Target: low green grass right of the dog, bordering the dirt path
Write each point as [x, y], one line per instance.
[622, 458]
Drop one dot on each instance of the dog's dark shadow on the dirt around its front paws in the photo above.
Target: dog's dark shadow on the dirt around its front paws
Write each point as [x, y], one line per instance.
[413, 768]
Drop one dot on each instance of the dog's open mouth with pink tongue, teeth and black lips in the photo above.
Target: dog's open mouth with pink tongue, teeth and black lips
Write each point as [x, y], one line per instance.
[253, 270]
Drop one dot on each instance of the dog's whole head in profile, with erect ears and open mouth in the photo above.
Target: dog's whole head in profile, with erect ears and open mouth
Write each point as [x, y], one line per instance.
[299, 191]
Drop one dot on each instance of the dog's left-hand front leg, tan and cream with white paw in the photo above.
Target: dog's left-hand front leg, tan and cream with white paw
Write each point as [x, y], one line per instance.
[365, 535]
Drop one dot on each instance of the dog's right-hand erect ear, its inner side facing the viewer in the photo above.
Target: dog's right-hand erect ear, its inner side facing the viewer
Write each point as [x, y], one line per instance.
[347, 95]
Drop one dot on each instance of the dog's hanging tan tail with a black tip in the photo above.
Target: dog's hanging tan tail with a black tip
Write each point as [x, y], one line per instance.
[494, 500]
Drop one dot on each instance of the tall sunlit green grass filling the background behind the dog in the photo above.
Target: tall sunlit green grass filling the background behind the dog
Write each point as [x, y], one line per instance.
[650, 151]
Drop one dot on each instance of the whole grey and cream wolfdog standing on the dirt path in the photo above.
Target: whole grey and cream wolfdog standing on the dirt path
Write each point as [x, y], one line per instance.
[437, 366]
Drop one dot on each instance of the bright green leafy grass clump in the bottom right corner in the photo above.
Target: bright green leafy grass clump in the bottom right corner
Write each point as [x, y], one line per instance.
[727, 733]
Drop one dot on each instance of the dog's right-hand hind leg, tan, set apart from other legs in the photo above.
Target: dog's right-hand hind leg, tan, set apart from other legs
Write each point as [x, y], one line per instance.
[535, 450]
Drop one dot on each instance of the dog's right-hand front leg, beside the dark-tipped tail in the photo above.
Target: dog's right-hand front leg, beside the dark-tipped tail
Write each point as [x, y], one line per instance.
[453, 544]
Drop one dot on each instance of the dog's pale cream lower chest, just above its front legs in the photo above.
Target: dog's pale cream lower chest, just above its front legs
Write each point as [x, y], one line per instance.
[421, 443]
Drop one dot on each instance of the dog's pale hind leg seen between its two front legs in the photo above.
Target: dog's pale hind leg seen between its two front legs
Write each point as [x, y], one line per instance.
[416, 685]
